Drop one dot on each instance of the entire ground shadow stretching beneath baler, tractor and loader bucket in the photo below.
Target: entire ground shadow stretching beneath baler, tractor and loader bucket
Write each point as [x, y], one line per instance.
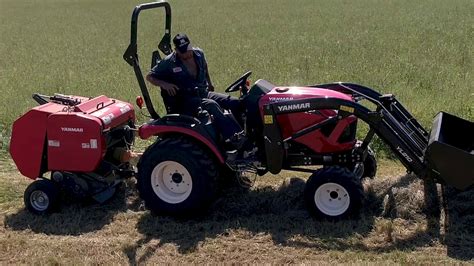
[280, 213]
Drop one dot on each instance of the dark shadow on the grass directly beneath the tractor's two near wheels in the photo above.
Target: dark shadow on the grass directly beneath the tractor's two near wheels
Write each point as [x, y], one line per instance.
[279, 212]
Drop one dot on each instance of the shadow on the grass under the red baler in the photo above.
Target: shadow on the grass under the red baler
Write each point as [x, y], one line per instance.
[74, 218]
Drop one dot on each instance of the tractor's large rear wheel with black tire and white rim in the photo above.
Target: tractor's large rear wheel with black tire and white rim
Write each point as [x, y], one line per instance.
[176, 177]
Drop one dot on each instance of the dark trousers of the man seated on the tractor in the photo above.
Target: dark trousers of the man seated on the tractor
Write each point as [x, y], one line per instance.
[213, 103]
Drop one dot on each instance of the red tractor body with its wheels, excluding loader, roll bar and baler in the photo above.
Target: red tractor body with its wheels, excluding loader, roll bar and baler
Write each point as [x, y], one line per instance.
[179, 173]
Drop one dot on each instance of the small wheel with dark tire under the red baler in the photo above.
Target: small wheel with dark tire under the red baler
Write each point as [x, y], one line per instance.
[42, 197]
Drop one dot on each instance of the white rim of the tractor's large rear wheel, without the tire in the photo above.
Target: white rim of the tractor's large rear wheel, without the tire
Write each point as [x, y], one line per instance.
[171, 182]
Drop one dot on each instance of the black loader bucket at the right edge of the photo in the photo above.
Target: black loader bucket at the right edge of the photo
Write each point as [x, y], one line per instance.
[450, 152]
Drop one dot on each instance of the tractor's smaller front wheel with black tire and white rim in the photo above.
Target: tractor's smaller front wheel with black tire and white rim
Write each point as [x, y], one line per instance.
[333, 193]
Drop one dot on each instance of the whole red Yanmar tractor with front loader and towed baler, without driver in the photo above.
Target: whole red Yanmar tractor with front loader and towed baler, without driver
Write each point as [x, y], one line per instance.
[287, 128]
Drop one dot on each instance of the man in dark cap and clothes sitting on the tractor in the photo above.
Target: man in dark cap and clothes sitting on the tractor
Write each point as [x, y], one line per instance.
[186, 85]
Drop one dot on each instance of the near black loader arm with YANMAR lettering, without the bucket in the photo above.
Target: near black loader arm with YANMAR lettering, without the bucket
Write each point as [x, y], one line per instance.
[381, 122]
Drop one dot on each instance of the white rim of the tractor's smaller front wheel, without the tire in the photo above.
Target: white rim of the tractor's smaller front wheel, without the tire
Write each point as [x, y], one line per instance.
[332, 199]
